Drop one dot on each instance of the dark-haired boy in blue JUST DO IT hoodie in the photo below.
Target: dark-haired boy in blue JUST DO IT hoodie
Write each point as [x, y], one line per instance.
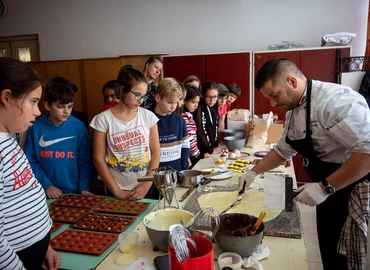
[58, 146]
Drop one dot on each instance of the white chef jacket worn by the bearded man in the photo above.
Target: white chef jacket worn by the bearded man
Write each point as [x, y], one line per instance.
[340, 123]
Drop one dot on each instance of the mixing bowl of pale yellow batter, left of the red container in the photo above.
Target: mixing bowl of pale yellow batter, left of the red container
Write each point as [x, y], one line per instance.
[157, 225]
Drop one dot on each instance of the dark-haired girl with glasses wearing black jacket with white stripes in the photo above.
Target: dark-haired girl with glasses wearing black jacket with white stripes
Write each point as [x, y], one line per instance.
[206, 118]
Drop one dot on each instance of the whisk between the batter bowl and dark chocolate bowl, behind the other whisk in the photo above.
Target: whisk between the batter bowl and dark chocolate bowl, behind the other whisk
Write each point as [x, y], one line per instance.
[207, 222]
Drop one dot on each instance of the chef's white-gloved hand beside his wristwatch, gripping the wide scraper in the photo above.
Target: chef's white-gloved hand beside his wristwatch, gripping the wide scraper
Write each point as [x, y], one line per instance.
[311, 194]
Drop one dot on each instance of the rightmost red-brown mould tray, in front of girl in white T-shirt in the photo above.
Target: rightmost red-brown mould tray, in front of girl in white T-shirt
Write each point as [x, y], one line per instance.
[122, 207]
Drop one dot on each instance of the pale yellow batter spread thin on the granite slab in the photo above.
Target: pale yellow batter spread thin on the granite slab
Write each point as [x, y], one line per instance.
[251, 204]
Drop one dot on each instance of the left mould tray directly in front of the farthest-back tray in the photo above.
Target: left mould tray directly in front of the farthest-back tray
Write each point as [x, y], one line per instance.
[67, 214]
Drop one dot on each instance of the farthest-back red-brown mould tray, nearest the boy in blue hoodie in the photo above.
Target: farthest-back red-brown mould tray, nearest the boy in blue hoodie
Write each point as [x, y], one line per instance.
[78, 201]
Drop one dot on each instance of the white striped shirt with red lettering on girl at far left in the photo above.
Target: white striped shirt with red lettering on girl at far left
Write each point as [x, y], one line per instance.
[24, 215]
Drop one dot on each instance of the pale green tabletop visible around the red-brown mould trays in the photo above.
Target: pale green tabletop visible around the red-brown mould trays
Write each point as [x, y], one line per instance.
[80, 261]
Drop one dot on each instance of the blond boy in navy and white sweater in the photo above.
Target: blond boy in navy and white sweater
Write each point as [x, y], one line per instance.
[173, 133]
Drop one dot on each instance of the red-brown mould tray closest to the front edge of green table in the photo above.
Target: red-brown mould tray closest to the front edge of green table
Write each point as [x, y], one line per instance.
[83, 242]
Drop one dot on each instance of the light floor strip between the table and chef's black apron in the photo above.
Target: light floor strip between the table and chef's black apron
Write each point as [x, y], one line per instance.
[308, 215]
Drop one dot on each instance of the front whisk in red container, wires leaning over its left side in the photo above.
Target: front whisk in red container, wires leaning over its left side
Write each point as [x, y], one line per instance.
[179, 239]
